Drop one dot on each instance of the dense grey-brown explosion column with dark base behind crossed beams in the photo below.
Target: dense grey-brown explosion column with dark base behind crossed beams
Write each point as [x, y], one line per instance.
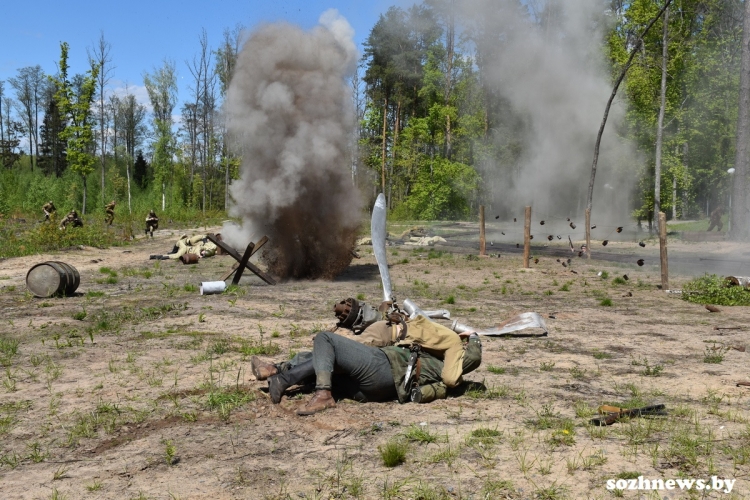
[290, 117]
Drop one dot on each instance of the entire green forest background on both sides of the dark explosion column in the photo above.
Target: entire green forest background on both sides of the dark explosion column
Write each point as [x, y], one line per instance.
[437, 132]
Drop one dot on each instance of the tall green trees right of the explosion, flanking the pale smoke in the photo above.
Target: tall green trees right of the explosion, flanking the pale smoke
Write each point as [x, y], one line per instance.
[434, 128]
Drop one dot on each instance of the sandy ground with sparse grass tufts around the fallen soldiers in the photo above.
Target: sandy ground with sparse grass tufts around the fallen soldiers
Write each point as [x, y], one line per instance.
[149, 394]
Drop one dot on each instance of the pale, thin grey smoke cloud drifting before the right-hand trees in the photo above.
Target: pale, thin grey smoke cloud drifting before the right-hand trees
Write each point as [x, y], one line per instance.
[554, 80]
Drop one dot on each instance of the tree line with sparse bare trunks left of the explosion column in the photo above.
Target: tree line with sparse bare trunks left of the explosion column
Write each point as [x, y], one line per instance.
[63, 136]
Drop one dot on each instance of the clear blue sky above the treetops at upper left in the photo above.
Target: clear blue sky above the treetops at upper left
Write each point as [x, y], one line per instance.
[143, 33]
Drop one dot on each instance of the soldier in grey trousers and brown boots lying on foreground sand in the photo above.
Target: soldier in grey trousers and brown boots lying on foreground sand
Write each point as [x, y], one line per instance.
[365, 373]
